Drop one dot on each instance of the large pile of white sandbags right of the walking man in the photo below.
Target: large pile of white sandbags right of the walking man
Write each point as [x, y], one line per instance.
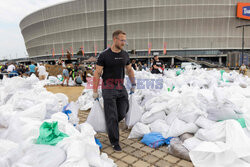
[203, 104]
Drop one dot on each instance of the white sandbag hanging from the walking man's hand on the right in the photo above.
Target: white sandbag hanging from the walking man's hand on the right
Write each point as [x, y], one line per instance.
[134, 113]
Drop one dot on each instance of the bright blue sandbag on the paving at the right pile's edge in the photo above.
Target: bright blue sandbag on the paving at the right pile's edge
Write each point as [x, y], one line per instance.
[155, 139]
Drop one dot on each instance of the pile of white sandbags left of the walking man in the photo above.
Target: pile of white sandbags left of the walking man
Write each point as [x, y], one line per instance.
[25, 107]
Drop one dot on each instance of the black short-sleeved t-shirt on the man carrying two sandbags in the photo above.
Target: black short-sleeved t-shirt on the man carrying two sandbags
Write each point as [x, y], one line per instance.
[113, 65]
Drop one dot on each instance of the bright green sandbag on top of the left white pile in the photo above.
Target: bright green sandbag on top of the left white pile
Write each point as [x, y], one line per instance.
[50, 134]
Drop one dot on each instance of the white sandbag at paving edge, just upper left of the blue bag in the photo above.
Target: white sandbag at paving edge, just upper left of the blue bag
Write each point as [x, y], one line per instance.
[139, 130]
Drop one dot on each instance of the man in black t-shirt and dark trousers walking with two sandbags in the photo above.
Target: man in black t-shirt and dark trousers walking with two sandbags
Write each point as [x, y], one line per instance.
[111, 65]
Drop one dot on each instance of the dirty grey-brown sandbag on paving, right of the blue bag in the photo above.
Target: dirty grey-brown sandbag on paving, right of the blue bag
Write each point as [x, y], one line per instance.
[178, 150]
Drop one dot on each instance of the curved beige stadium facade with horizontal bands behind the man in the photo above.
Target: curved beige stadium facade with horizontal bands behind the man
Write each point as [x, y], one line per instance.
[201, 27]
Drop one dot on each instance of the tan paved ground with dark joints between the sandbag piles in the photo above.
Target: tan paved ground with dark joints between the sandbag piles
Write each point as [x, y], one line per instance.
[135, 153]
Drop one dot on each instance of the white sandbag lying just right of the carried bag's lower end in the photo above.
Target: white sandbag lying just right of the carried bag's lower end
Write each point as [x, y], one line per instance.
[148, 117]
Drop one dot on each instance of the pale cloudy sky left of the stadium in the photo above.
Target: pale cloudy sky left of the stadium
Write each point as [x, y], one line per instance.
[11, 13]
